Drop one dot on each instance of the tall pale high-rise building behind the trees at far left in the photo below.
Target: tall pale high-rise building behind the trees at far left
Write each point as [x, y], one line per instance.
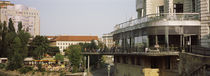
[19, 13]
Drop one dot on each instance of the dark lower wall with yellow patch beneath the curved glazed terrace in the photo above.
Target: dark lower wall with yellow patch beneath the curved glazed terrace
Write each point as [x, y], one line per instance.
[144, 68]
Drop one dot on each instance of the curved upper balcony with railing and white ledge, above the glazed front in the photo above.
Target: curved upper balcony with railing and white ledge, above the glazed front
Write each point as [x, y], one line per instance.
[163, 18]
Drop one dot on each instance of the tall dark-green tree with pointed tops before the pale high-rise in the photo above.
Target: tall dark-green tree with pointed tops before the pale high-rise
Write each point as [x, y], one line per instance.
[17, 46]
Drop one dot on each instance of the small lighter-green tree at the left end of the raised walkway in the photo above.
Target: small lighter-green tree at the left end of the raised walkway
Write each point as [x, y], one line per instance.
[75, 56]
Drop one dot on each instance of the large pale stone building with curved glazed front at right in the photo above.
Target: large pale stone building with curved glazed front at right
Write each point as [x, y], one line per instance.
[150, 44]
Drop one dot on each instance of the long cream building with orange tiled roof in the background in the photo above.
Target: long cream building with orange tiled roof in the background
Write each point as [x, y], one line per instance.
[63, 42]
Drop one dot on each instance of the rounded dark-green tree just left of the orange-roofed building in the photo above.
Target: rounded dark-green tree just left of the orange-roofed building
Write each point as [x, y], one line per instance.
[38, 47]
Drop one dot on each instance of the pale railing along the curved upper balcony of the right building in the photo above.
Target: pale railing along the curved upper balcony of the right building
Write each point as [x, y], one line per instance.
[165, 16]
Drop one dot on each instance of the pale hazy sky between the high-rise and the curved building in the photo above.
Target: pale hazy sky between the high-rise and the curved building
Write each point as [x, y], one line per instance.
[81, 17]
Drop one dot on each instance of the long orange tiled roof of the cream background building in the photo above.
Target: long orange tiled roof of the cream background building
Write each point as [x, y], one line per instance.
[73, 38]
